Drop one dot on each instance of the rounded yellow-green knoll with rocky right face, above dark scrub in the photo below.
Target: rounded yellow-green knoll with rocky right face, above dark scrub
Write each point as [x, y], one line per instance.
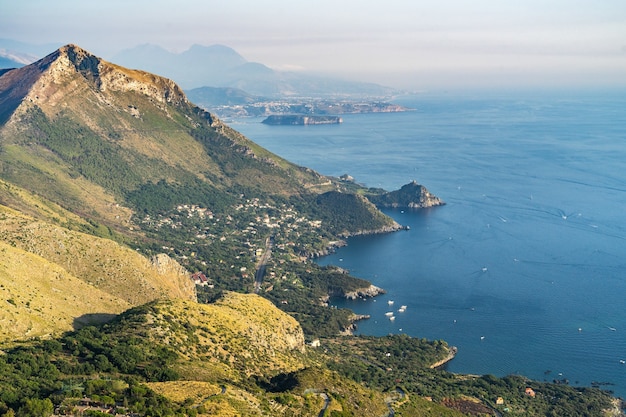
[239, 336]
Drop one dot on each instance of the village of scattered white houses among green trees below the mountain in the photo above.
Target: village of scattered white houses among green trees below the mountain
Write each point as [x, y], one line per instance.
[238, 237]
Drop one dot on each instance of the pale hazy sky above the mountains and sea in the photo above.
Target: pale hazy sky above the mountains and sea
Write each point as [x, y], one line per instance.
[402, 43]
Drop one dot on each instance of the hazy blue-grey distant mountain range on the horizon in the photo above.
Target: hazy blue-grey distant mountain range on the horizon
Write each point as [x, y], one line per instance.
[221, 66]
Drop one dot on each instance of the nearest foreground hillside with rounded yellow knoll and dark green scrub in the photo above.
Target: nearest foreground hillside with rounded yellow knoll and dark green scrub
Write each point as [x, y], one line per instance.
[240, 356]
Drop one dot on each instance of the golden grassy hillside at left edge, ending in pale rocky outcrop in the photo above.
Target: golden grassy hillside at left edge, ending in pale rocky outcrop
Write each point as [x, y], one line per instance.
[55, 280]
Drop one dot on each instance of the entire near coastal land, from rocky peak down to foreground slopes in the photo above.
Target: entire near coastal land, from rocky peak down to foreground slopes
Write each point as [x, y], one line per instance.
[115, 191]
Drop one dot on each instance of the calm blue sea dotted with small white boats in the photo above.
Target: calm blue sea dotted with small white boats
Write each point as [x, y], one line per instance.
[524, 268]
